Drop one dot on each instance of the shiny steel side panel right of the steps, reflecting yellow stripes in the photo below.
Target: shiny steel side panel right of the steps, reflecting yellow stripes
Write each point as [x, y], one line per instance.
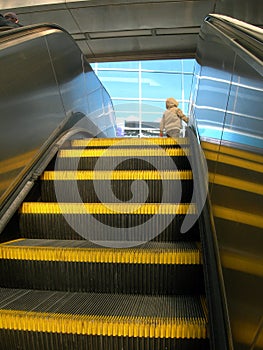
[227, 105]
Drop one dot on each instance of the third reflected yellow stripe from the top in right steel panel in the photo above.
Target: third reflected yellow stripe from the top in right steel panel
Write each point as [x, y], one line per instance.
[239, 184]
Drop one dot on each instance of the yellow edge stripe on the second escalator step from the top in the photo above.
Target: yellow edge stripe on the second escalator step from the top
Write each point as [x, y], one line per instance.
[123, 152]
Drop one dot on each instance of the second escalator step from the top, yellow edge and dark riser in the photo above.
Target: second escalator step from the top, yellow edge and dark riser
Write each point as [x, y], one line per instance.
[123, 159]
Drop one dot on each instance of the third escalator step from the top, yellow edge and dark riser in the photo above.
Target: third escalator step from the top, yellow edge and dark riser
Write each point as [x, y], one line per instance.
[107, 186]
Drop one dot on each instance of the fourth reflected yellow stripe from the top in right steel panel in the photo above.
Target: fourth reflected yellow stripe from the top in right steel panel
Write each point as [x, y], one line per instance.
[238, 216]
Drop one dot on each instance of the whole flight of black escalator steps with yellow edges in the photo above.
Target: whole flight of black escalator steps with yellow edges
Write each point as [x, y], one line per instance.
[99, 260]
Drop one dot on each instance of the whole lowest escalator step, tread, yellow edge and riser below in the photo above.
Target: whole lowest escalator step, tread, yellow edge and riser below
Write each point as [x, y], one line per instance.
[141, 320]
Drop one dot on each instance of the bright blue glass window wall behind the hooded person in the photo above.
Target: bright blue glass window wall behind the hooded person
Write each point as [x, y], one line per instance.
[139, 95]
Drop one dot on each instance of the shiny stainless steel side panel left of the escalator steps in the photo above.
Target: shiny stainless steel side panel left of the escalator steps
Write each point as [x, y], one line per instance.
[45, 82]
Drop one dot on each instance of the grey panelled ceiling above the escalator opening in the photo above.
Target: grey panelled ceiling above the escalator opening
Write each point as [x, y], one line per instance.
[130, 29]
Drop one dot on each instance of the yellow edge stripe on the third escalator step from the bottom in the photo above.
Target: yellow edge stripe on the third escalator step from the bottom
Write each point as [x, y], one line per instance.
[107, 208]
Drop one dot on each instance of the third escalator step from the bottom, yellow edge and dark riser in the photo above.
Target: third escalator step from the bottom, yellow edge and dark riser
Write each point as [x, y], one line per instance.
[126, 222]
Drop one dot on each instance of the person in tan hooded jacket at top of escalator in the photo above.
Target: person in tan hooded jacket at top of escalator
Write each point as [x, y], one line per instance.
[172, 118]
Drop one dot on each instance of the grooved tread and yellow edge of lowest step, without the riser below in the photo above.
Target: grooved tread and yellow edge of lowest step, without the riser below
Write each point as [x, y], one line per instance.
[103, 314]
